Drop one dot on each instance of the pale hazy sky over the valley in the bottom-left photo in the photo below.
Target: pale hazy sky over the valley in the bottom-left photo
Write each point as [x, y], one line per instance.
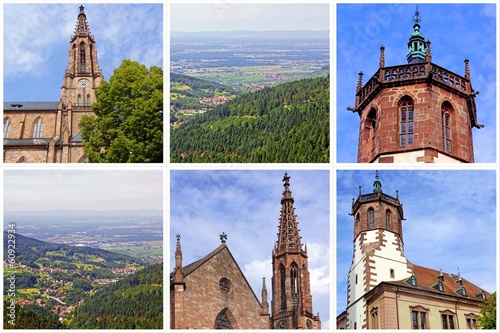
[45, 190]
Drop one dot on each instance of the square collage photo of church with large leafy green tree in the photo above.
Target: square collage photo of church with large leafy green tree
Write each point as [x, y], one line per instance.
[83, 83]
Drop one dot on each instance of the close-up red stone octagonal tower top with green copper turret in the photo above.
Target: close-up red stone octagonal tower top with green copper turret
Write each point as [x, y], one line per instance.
[416, 112]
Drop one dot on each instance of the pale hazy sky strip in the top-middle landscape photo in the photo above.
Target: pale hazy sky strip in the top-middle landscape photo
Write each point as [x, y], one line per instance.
[237, 15]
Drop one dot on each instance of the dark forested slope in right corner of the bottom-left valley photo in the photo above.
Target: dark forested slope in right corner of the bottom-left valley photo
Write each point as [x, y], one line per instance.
[136, 302]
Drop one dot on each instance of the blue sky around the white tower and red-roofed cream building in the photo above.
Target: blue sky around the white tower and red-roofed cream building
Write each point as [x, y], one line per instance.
[451, 221]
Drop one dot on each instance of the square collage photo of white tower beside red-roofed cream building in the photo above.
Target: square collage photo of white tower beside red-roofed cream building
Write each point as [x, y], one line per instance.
[416, 249]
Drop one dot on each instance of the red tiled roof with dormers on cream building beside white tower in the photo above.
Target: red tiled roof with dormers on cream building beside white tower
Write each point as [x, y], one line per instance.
[427, 277]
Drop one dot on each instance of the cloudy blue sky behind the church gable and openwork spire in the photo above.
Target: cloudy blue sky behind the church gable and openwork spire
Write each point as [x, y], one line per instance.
[246, 206]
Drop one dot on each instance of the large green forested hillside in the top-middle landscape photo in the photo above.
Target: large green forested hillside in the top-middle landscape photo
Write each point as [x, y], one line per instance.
[288, 123]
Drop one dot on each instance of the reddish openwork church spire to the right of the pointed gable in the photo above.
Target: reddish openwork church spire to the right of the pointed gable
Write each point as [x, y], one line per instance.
[292, 300]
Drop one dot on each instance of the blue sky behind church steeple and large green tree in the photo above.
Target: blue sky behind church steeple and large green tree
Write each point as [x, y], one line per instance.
[36, 43]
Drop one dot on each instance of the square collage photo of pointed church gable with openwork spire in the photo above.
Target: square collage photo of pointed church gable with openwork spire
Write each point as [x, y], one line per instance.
[247, 254]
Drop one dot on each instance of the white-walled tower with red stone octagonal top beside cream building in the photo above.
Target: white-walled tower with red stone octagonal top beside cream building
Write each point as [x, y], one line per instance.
[378, 249]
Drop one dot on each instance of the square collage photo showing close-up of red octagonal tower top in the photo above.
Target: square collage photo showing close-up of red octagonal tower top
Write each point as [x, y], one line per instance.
[420, 82]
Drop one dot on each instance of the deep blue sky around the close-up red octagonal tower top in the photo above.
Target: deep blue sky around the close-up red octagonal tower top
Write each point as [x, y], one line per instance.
[456, 32]
